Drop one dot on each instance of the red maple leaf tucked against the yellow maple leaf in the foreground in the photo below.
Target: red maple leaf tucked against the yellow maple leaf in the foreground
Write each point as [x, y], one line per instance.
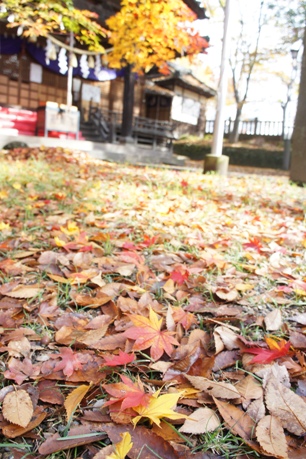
[130, 393]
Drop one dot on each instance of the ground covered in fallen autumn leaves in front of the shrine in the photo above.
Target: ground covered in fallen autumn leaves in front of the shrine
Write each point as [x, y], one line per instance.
[149, 313]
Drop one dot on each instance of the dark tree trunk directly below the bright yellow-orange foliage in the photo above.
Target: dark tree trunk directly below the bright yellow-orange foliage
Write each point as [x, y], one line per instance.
[128, 105]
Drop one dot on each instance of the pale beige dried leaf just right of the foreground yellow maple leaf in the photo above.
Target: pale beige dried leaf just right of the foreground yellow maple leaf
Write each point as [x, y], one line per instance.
[201, 421]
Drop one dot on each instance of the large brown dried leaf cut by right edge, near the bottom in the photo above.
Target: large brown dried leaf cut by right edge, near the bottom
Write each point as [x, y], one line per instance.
[289, 407]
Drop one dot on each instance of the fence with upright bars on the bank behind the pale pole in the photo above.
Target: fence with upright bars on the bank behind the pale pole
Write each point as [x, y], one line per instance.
[253, 127]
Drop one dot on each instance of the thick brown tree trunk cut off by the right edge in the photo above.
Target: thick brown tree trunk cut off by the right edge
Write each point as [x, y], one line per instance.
[298, 153]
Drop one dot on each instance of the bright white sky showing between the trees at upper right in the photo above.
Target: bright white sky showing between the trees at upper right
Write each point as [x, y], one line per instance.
[267, 91]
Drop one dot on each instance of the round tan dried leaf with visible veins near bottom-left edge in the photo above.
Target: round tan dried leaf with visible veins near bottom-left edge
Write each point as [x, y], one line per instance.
[18, 408]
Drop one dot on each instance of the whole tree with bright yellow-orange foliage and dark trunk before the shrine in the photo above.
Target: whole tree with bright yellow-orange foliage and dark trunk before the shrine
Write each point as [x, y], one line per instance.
[146, 34]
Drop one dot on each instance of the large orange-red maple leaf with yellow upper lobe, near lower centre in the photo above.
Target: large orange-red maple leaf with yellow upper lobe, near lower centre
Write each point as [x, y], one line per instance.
[147, 333]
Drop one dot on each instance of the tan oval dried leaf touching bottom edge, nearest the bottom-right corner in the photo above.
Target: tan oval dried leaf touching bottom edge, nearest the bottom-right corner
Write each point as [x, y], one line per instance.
[271, 437]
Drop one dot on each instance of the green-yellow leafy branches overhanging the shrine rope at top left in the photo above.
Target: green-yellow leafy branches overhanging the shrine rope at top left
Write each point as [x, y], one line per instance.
[38, 18]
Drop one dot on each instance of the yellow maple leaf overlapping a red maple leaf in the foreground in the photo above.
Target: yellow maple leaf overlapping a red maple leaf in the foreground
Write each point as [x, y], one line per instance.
[159, 407]
